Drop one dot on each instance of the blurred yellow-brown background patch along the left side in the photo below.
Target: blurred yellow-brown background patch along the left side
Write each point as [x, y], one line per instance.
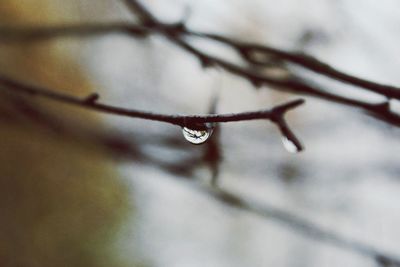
[62, 203]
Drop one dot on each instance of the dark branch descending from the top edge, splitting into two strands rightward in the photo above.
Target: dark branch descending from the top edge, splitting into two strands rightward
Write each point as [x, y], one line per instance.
[175, 32]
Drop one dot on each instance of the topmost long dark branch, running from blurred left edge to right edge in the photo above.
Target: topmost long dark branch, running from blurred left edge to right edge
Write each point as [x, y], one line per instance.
[246, 50]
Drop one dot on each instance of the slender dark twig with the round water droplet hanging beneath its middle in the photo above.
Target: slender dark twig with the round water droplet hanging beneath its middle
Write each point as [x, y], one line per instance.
[179, 120]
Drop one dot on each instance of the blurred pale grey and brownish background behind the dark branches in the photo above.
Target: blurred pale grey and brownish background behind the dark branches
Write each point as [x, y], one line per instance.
[346, 181]
